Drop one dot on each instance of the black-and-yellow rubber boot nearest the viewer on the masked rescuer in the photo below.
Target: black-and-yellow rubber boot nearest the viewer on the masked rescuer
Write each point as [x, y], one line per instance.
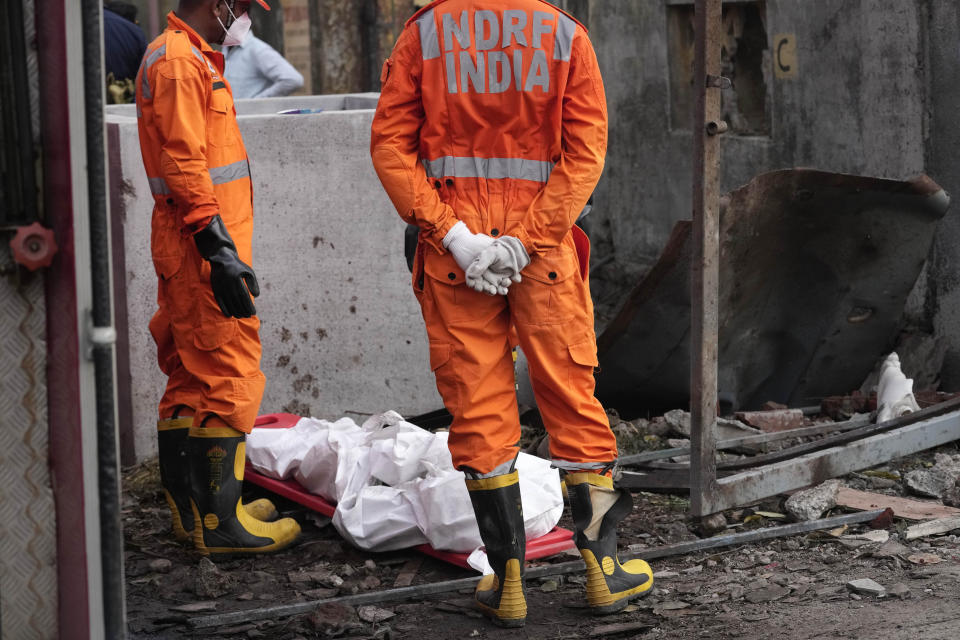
[217, 457]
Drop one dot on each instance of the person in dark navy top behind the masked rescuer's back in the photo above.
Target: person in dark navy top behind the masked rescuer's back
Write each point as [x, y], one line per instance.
[123, 48]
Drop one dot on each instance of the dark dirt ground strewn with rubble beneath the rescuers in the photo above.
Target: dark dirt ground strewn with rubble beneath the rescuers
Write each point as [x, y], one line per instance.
[792, 587]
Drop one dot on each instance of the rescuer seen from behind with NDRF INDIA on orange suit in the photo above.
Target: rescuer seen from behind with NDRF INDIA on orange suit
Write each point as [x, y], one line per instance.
[490, 135]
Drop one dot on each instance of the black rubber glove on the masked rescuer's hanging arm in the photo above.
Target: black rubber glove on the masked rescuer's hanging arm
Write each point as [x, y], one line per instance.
[230, 278]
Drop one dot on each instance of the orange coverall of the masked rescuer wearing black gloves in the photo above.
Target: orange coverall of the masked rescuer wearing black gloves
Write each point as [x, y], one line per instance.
[197, 168]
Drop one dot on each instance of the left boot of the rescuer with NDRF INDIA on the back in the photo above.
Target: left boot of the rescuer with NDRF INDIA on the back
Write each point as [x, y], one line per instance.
[496, 502]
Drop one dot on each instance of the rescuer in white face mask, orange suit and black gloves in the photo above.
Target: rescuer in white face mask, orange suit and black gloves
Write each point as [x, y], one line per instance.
[206, 327]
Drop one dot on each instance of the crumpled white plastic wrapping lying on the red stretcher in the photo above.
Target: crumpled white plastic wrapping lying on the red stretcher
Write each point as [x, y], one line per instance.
[394, 483]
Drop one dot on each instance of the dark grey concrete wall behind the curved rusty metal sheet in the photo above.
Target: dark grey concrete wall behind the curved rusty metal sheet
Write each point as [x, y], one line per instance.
[855, 105]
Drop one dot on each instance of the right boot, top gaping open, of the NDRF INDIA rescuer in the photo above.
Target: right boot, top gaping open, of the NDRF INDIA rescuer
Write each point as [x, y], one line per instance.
[597, 509]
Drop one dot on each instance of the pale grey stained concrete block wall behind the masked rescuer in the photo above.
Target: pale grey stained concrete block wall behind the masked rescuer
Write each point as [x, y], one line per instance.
[341, 330]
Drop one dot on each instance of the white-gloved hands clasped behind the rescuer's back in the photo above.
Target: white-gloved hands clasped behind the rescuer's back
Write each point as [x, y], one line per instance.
[491, 265]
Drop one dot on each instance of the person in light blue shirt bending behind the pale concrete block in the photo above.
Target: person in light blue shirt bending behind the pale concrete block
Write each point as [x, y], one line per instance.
[254, 69]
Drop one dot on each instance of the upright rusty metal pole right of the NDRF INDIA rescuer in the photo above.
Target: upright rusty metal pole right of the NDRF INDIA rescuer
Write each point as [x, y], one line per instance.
[704, 275]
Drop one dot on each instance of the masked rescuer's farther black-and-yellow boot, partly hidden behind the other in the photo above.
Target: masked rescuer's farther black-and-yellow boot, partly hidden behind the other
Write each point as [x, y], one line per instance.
[175, 477]
